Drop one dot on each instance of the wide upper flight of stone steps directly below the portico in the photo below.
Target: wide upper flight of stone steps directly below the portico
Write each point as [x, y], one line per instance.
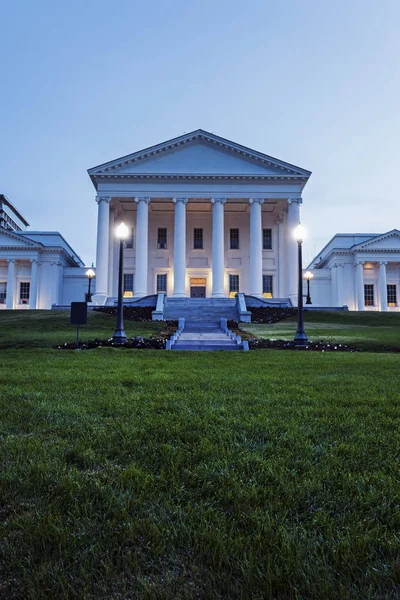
[201, 310]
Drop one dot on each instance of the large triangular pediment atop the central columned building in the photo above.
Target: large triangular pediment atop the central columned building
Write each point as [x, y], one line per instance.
[199, 153]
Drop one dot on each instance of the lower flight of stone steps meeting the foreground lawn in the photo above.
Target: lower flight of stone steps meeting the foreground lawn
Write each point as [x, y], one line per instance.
[204, 336]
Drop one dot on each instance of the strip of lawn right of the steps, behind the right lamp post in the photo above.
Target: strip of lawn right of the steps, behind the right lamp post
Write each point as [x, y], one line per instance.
[369, 331]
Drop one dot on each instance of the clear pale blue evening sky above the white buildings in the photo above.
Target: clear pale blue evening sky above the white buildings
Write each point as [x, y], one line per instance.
[312, 82]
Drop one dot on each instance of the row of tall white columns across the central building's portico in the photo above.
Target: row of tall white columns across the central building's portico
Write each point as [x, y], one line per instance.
[218, 257]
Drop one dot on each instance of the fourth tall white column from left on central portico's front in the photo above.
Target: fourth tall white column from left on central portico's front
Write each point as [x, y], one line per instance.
[218, 249]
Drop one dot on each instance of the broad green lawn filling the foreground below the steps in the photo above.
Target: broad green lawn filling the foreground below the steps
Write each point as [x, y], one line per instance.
[148, 474]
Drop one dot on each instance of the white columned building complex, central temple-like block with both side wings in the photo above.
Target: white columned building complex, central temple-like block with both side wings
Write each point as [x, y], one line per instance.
[208, 218]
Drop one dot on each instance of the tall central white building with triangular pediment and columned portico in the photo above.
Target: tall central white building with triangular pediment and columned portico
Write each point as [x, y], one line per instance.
[208, 217]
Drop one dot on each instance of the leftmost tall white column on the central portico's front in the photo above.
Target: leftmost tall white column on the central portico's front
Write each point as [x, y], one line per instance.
[103, 233]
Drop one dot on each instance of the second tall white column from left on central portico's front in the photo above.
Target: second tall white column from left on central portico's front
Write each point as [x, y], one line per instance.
[142, 243]
